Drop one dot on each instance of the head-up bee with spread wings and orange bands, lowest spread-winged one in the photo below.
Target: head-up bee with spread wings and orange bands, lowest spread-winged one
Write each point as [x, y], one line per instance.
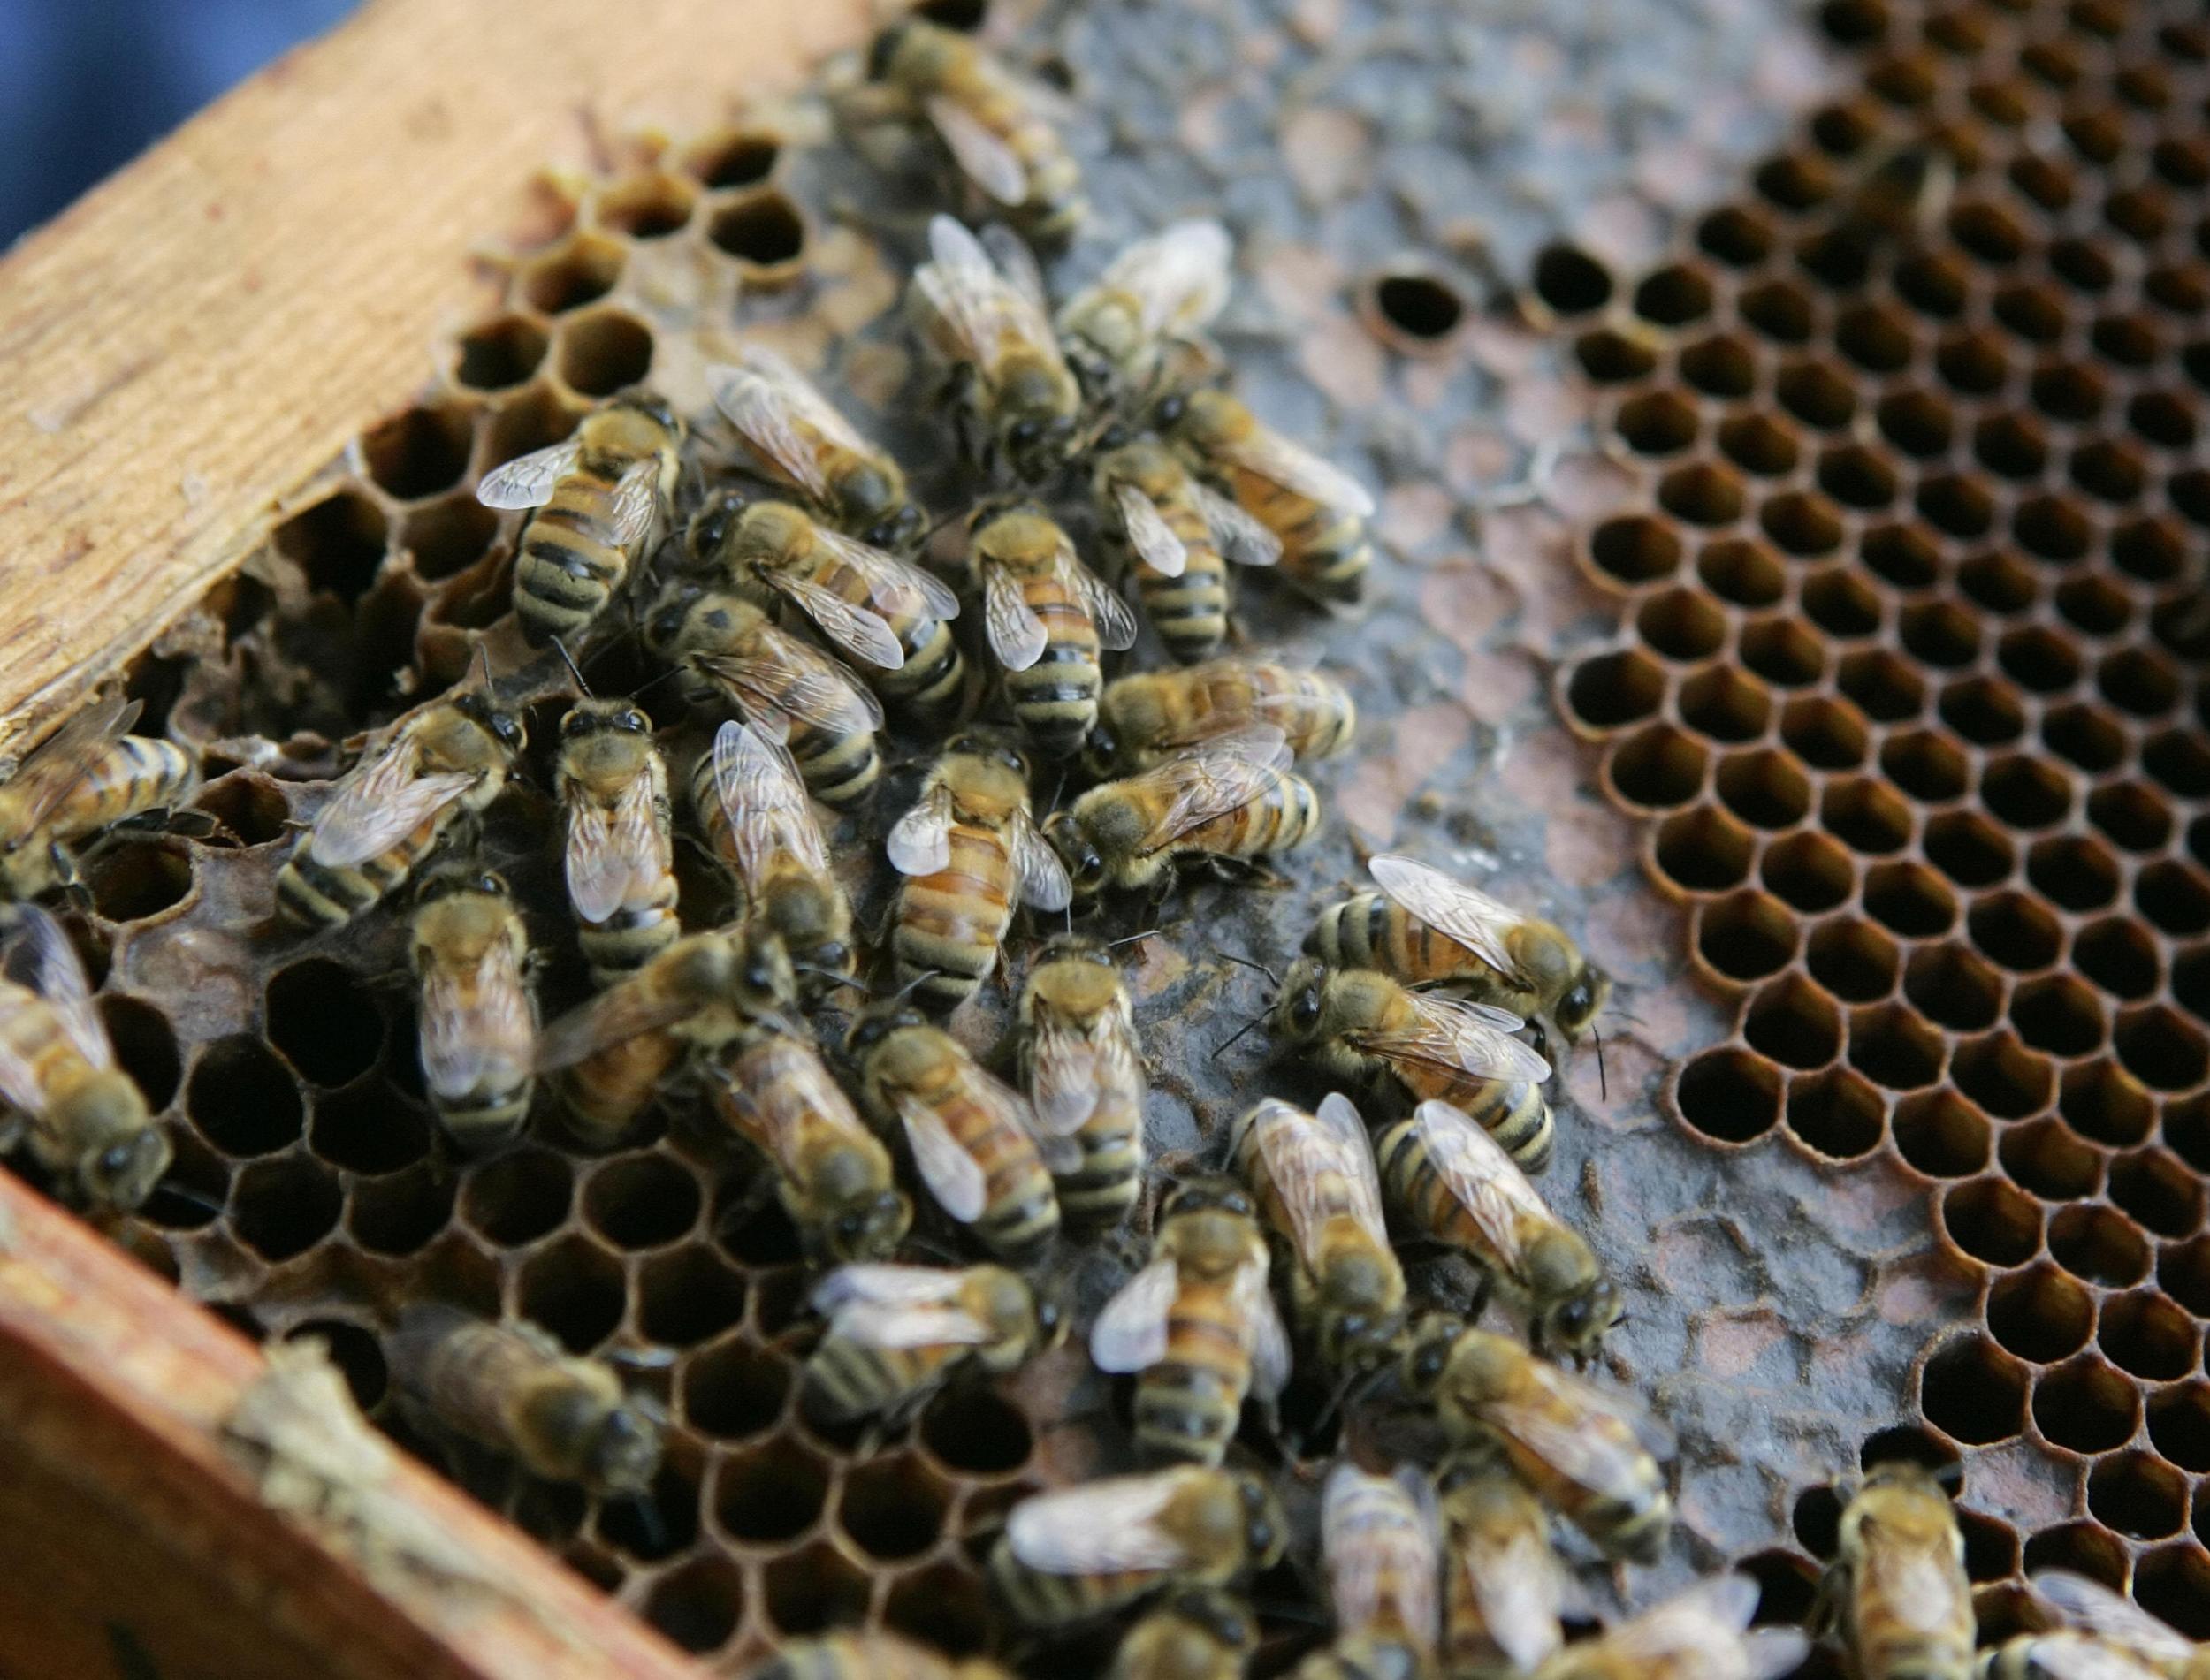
[1197, 1325]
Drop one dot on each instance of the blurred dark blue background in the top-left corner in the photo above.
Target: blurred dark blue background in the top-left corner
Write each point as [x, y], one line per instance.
[87, 85]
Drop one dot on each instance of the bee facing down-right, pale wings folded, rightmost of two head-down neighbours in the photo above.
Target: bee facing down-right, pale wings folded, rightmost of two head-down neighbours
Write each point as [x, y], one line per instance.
[1455, 1184]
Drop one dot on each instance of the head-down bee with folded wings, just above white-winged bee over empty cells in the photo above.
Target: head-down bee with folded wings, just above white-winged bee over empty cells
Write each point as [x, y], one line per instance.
[832, 1175]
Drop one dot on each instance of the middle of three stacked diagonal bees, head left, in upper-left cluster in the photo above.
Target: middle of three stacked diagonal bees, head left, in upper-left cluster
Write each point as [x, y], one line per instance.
[883, 611]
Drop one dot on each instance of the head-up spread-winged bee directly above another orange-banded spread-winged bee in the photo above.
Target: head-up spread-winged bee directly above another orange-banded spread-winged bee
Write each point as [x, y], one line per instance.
[1046, 618]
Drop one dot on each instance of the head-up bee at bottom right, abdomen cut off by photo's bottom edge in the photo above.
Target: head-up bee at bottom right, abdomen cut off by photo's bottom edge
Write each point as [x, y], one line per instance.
[1899, 1586]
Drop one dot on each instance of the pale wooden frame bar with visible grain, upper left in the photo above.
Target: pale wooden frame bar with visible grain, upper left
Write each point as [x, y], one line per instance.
[209, 328]
